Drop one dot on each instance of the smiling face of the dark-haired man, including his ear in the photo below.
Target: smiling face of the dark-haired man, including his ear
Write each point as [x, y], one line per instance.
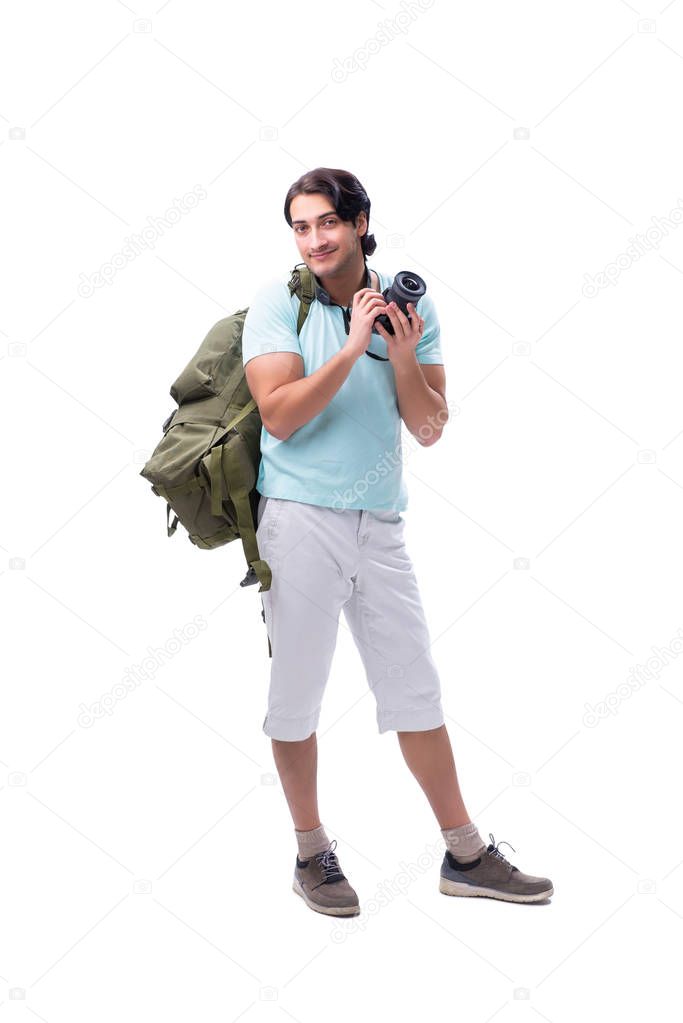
[317, 229]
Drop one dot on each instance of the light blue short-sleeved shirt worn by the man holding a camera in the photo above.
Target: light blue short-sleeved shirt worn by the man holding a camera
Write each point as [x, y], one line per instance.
[349, 456]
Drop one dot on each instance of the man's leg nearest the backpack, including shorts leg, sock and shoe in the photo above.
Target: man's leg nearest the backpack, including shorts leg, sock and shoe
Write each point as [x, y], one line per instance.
[308, 549]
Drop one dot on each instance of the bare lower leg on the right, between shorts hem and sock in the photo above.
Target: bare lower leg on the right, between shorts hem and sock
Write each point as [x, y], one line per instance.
[430, 757]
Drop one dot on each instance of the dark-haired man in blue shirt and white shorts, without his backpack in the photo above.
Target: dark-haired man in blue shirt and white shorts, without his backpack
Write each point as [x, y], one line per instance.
[333, 402]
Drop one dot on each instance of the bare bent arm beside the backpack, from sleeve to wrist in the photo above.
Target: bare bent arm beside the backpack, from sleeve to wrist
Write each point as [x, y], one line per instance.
[287, 398]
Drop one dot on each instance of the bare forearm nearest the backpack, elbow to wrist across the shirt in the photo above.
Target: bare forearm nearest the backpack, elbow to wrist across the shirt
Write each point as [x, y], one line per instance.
[292, 406]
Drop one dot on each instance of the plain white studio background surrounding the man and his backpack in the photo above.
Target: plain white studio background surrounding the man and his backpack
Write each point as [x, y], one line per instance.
[511, 152]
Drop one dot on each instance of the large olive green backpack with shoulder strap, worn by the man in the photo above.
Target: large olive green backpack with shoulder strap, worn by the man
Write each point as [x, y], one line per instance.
[207, 464]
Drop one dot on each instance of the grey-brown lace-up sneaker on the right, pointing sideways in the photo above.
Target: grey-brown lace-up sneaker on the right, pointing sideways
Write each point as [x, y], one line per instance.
[492, 875]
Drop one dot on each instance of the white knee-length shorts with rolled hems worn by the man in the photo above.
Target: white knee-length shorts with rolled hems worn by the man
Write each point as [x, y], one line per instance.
[324, 561]
